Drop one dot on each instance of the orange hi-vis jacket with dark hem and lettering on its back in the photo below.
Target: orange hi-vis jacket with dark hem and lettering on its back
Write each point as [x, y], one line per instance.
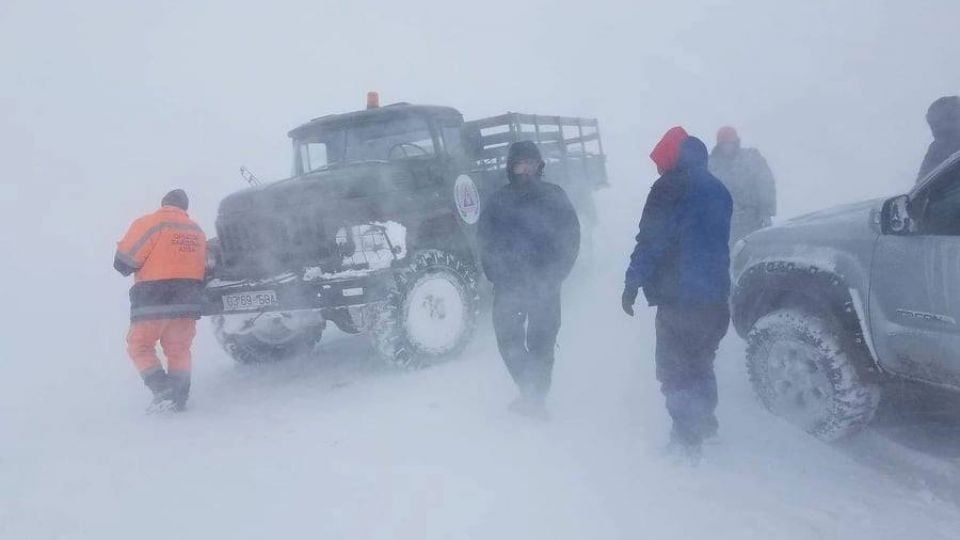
[167, 253]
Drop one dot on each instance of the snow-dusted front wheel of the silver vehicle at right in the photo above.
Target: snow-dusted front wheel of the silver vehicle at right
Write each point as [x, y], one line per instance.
[801, 372]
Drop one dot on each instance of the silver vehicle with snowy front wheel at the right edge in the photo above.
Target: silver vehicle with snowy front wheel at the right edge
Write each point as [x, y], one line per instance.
[835, 303]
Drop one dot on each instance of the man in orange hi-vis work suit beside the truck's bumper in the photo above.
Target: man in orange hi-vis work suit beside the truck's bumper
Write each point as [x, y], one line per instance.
[166, 252]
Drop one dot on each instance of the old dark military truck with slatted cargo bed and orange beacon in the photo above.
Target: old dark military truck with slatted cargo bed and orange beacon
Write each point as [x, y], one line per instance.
[375, 230]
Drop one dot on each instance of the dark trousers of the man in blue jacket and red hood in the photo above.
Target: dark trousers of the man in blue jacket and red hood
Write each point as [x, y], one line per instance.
[687, 341]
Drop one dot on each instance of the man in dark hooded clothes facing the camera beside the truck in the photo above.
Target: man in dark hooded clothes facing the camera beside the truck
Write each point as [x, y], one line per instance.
[529, 238]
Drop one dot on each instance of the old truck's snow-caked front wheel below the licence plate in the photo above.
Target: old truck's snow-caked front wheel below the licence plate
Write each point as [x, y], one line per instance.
[265, 343]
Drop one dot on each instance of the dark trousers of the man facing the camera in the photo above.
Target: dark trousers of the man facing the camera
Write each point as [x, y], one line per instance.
[527, 323]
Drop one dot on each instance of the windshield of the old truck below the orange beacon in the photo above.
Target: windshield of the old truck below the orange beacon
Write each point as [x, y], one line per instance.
[401, 138]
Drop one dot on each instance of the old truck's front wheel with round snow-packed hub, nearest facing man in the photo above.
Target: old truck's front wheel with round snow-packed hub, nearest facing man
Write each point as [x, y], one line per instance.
[430, 313]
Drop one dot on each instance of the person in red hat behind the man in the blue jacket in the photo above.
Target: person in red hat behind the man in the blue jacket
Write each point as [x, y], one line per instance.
[748, 179]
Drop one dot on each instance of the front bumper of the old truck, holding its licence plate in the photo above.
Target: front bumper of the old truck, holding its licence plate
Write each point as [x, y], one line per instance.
[292, 293]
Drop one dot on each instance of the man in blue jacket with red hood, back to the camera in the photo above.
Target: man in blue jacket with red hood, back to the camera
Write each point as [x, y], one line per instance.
[682, 262]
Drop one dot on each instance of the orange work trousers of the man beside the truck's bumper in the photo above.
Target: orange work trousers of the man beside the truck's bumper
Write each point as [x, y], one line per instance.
[175, 337]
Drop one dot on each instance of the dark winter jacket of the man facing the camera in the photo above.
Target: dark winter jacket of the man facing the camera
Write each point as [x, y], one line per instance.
[528, 235]
